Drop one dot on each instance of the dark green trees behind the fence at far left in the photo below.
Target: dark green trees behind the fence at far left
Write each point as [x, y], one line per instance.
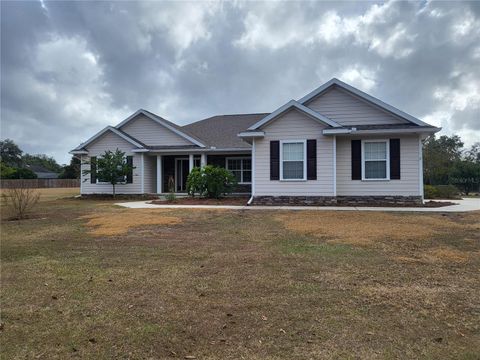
[15, 164]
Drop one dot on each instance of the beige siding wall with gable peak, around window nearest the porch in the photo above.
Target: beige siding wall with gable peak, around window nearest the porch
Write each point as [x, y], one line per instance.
[294, 125]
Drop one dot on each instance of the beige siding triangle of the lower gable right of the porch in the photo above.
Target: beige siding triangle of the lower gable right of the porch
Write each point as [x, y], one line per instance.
[293, 123]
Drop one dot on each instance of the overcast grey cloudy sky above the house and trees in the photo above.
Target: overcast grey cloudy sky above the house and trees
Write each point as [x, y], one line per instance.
[68, 69]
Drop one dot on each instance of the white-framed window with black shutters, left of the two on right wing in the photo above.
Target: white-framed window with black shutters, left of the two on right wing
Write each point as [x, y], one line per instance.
[293, 165]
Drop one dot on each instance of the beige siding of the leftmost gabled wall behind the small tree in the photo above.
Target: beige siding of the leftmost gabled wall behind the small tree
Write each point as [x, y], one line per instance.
[111, 141]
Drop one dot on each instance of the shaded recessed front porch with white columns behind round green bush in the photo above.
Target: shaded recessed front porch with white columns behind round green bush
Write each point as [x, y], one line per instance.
[165, 173]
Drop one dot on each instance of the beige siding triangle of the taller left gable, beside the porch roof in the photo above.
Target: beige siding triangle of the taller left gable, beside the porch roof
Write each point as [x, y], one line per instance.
[150, 132]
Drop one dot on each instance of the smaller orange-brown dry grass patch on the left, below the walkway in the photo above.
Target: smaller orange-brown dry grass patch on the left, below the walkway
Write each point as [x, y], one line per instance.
[110, 224]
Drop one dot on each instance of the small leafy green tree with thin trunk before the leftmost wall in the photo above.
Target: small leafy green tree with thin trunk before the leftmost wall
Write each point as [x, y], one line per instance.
[112, 167]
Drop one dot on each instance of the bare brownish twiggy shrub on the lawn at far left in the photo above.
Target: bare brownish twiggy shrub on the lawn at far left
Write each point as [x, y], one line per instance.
[20, 199]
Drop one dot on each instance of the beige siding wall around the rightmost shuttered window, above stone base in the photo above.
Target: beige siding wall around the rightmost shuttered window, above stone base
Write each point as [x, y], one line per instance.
[409, 171]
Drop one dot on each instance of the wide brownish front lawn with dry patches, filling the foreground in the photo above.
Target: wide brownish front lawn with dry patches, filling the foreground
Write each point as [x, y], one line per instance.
[87, 279]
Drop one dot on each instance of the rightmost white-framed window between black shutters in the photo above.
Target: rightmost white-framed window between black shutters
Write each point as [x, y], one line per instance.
[375, 160]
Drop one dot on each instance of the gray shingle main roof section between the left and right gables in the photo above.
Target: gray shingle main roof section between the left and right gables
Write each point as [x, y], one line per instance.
[221, 131]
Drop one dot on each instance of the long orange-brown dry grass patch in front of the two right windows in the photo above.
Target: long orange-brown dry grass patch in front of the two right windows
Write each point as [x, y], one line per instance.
[365, 228]
